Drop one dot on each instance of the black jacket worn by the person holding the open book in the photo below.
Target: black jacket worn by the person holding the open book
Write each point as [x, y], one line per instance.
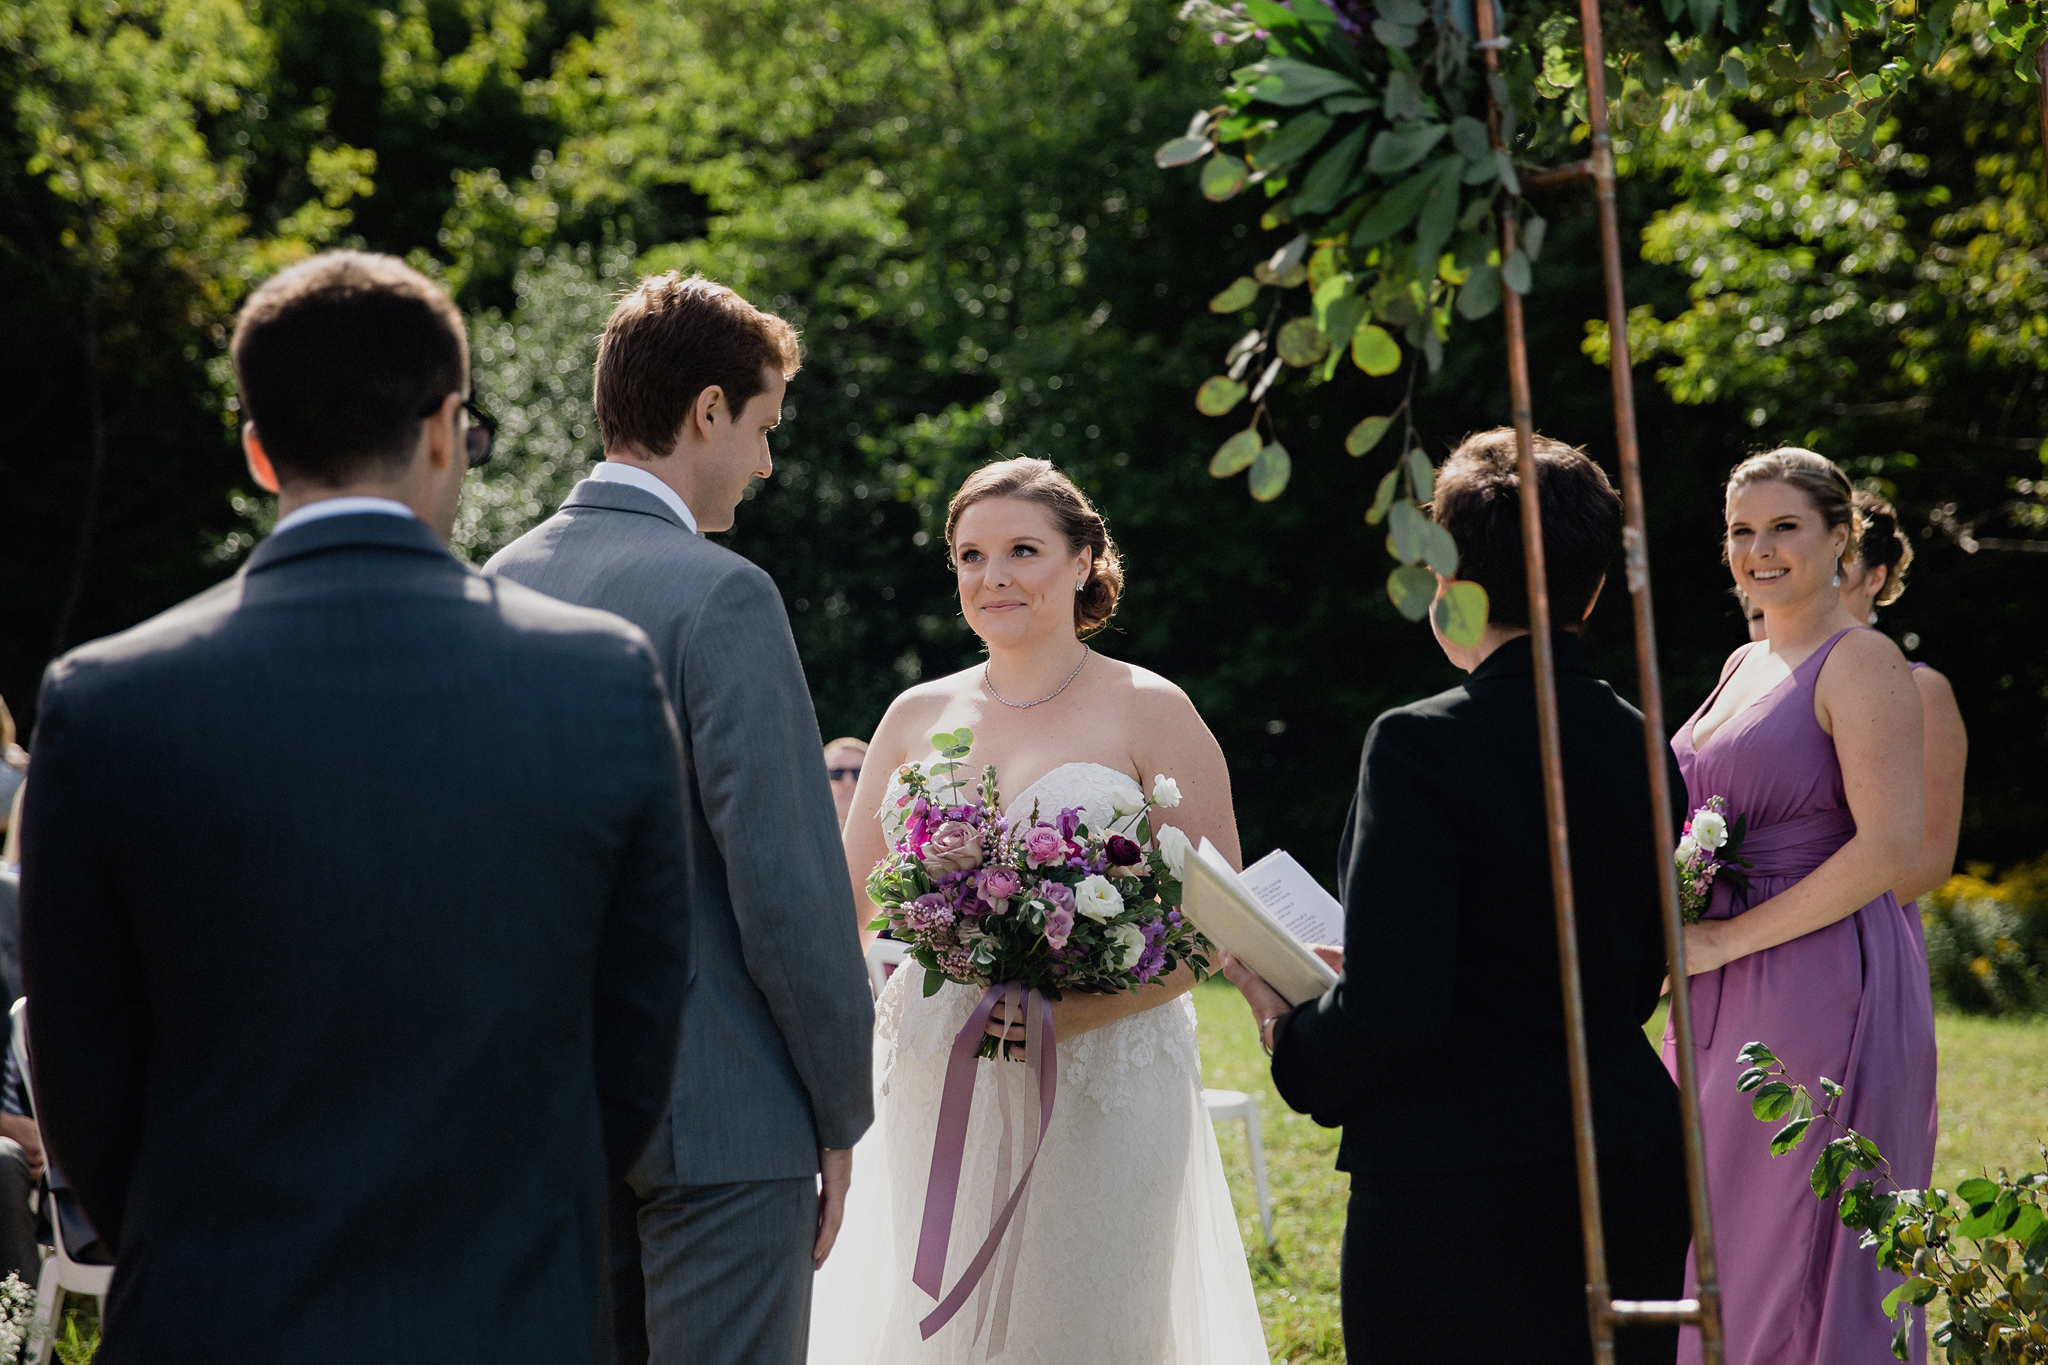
[1443, 1045]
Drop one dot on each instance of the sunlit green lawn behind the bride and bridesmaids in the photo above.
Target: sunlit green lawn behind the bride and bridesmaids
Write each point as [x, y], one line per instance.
[1994, 1112]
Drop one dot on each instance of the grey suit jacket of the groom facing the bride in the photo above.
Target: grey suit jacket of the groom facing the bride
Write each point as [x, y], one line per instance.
[779, 1018]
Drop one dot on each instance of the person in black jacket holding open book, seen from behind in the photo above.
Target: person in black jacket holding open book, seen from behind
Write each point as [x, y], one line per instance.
[1441, 1051]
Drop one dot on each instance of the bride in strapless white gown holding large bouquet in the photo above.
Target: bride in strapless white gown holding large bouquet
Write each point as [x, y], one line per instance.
[1127, 1249]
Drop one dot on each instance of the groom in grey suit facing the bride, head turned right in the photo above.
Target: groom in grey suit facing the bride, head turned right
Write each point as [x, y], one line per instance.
[724, 1219]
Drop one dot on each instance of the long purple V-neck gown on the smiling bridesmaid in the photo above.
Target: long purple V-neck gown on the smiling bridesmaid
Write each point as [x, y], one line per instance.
[1848, 1002]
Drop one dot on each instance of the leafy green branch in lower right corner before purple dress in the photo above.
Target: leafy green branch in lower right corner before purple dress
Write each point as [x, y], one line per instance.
[1996, 1296]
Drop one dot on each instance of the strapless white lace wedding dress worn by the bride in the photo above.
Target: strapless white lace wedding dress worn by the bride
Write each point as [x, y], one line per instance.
[1127, 1251]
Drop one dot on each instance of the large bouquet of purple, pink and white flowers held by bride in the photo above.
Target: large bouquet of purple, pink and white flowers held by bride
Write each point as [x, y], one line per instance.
[1050, 904]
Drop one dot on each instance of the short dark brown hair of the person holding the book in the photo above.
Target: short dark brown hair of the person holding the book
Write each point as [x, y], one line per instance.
[1480, 502]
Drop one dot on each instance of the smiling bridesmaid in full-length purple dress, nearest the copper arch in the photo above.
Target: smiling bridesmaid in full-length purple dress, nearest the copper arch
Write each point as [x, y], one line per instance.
[1816, 736]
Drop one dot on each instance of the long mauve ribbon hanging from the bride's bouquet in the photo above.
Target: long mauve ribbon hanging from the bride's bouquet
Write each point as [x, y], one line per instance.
[949, 1151]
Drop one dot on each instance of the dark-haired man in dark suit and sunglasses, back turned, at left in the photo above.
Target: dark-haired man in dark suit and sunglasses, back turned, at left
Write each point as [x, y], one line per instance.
[349, 987]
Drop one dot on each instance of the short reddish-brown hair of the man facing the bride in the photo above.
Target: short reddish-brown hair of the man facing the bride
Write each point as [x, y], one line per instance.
[667, 343]
